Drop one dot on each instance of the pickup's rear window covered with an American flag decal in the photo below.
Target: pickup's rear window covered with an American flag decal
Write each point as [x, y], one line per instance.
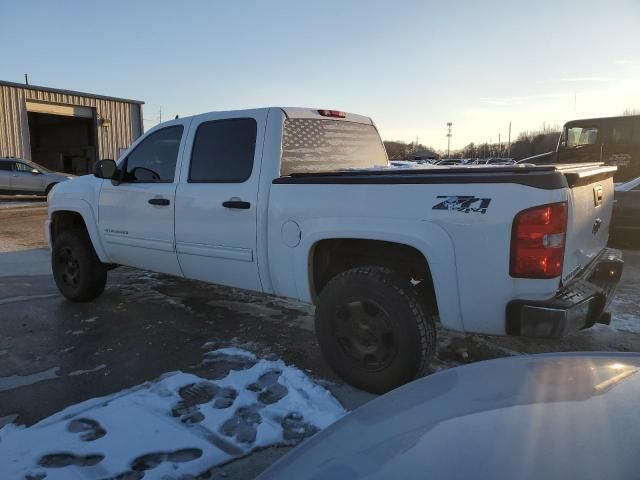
[310, 145]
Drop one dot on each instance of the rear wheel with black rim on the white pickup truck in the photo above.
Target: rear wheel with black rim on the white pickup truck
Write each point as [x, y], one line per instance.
[373, 329]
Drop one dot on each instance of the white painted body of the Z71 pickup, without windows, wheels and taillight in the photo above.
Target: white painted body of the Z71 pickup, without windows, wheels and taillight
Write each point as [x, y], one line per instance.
[268, 246]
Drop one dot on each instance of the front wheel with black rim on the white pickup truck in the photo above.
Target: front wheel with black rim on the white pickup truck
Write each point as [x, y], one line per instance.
[77, 270]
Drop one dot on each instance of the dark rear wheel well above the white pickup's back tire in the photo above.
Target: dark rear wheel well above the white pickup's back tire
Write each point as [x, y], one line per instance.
[331, 257]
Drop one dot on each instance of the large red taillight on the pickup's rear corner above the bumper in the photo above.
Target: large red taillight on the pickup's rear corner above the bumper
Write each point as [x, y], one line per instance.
[537, 241]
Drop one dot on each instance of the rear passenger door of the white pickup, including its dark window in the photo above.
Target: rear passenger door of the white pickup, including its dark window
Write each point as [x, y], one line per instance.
[216, 200]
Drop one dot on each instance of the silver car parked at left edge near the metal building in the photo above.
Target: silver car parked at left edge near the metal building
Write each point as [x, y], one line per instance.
[21, 177]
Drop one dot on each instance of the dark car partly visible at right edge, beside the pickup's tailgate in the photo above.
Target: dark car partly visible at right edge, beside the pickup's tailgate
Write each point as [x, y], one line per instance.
[625, 222]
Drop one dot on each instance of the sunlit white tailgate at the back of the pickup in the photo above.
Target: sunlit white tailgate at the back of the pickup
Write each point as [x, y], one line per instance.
[590, 207]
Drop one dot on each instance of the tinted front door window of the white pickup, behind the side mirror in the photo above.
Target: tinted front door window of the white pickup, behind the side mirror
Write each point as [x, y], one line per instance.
[154, 159]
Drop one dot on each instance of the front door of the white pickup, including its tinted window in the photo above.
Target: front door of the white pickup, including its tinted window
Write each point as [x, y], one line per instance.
[136, 217]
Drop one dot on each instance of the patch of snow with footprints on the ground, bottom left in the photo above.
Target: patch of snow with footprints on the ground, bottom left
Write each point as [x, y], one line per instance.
[176, 426]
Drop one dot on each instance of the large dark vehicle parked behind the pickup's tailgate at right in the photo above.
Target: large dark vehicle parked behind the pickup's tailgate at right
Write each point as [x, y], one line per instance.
[611, 140]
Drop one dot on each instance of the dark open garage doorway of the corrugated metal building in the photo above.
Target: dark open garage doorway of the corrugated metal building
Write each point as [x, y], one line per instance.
[62, 143]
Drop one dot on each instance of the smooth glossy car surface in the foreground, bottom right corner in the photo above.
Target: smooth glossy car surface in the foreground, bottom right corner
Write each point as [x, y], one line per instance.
[554, 416]
